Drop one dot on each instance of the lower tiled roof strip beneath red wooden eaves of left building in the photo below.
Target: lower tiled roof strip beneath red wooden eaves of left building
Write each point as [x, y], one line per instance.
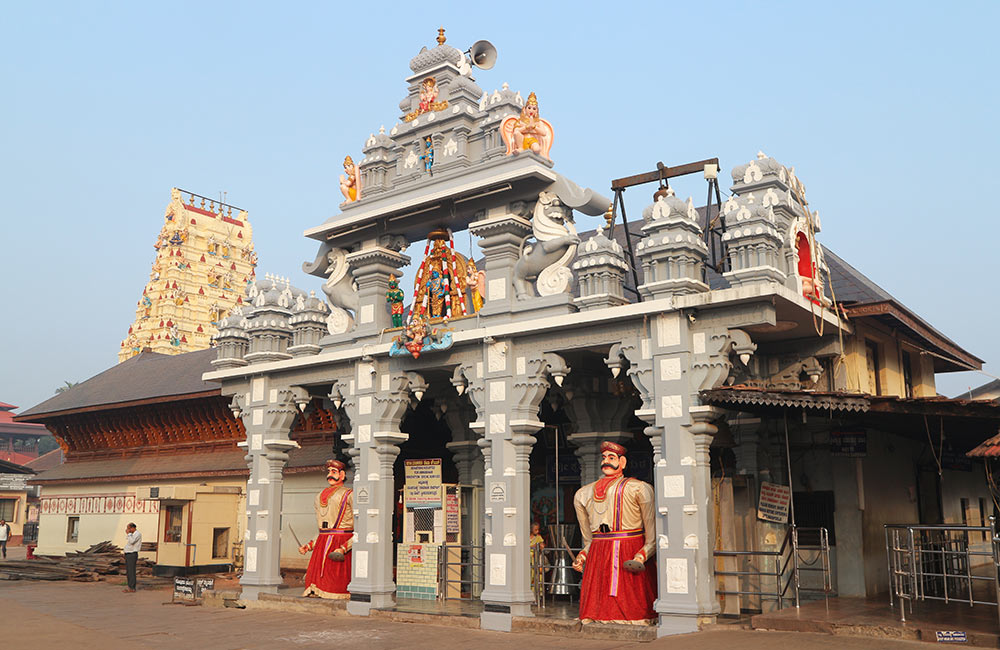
[188, 464]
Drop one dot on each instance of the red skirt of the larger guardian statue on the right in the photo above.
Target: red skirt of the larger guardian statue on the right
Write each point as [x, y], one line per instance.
[610, 593]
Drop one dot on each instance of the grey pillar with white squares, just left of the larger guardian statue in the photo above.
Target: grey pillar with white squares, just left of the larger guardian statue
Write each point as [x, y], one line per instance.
[507, 389]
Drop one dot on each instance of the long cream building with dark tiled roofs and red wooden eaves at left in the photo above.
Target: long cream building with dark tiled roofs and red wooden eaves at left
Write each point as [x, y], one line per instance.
[149, 441]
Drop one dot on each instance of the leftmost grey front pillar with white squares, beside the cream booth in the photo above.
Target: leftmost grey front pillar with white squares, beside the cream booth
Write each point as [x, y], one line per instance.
[268, 412]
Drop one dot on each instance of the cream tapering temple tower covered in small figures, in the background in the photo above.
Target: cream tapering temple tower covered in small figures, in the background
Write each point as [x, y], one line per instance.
[204, 261]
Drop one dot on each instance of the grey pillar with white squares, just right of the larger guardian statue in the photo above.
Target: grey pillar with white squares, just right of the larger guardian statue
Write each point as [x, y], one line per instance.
[681, 432]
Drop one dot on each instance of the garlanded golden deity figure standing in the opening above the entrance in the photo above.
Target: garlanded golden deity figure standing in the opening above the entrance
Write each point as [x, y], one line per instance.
[439, 290]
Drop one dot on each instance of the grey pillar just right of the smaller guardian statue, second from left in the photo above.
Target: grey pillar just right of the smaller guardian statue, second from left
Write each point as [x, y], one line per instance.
[375, 401]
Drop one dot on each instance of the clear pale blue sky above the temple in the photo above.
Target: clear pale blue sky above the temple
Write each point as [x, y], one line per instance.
[887, 111]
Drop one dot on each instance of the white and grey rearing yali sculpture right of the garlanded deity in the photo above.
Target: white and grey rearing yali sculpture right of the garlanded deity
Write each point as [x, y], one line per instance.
[548, 258]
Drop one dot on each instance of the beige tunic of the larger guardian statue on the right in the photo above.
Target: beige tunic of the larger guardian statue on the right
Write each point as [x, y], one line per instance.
[637, 511]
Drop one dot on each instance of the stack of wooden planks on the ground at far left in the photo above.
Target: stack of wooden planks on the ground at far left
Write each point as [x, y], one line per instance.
[85, 566]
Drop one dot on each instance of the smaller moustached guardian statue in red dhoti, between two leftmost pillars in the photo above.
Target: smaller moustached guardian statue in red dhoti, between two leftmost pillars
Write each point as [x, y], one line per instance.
[330, 565]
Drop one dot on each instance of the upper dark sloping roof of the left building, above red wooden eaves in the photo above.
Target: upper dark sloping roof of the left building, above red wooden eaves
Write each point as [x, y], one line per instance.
[145, 376]
